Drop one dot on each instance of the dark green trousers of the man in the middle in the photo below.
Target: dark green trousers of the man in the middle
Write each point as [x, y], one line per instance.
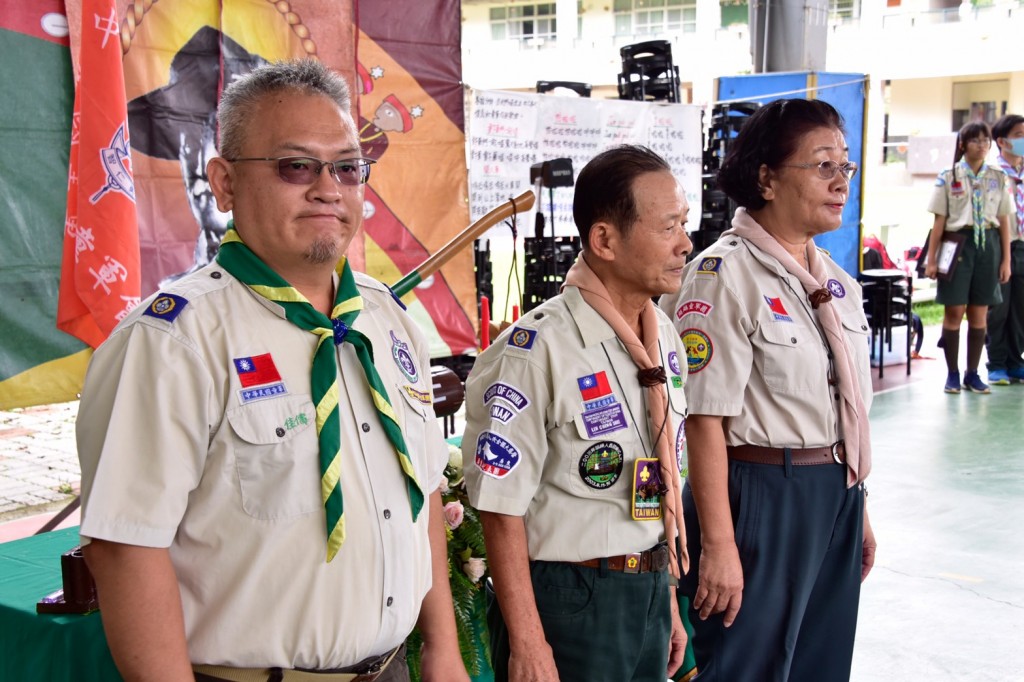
[603, 626]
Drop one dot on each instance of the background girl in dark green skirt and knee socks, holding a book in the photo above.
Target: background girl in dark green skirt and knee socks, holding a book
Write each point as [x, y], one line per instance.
[971, 203]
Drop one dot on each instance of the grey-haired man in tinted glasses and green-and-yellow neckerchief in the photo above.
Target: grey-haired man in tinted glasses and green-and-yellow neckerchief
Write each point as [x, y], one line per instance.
[261, 497]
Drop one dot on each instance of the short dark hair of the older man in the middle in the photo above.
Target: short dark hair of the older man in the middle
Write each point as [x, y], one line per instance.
[605, 188]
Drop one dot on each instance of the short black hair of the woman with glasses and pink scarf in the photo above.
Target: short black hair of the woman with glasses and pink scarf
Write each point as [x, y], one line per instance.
[769, 138]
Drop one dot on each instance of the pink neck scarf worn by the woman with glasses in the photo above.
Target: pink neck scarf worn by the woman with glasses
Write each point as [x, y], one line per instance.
[854, 414]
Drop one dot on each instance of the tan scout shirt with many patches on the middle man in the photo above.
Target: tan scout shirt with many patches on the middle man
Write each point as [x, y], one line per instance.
[557, 417]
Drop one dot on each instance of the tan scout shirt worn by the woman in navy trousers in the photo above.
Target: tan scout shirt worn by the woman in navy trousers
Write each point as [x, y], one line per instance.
[757, 355]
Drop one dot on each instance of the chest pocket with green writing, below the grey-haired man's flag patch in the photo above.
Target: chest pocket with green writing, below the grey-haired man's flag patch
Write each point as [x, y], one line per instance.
[278, 458]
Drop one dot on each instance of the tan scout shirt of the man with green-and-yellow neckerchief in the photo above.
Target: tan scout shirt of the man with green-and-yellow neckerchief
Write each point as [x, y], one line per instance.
[183, 448]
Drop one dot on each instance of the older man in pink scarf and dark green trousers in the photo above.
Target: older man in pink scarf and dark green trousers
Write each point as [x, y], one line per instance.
[574, 445]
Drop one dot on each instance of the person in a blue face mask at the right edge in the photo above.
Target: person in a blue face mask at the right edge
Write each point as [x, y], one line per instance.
[1006, 320]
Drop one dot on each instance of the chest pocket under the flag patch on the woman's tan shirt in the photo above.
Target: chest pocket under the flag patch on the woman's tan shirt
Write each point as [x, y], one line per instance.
[790, 358]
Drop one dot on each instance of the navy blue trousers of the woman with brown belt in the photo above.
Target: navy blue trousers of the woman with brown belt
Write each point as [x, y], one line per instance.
[799, 532]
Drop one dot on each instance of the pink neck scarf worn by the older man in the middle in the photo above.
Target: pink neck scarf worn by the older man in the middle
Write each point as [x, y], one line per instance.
[652, 377]
